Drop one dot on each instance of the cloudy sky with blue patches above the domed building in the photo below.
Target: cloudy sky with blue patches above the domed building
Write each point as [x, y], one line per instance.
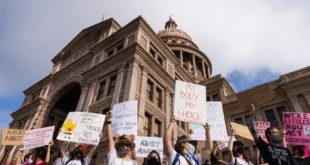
[249, 42]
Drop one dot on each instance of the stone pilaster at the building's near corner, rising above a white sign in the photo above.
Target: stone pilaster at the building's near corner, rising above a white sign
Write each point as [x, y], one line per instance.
[130, 87]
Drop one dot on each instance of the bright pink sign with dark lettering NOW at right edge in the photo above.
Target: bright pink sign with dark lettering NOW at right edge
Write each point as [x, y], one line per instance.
[297, 127]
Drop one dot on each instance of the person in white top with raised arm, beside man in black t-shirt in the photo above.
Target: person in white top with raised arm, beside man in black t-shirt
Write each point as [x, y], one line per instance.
[236, 154]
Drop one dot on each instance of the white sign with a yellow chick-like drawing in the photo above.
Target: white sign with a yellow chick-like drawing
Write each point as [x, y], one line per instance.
[82, 127]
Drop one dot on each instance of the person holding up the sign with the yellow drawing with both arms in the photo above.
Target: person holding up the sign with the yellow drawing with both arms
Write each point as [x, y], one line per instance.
[77, 156]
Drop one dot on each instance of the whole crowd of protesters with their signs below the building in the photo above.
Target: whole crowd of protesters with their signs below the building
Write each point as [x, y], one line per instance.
[80, 134]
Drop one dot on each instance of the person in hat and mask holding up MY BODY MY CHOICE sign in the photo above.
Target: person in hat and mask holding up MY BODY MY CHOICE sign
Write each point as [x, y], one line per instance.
[182, 153]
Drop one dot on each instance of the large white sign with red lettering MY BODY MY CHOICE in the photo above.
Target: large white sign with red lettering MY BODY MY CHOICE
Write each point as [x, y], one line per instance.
[188, 102]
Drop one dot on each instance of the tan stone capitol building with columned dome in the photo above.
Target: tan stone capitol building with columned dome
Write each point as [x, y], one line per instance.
[107, 64]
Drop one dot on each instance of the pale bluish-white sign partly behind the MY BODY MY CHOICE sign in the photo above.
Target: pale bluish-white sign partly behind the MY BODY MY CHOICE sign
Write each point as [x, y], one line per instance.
[215, 117]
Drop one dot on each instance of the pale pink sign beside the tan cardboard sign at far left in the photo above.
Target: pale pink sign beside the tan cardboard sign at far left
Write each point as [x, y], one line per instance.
[38, 137]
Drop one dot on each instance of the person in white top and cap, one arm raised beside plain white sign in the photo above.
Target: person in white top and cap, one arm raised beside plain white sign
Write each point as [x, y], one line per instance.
[119, 151]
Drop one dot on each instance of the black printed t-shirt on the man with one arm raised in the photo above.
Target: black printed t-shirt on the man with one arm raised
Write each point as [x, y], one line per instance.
[274, 155]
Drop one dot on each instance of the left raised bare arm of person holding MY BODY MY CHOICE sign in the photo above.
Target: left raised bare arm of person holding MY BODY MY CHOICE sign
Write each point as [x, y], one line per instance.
[167, 137]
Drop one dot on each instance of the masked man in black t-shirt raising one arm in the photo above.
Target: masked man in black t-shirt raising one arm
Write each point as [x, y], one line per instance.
[272, 152]
